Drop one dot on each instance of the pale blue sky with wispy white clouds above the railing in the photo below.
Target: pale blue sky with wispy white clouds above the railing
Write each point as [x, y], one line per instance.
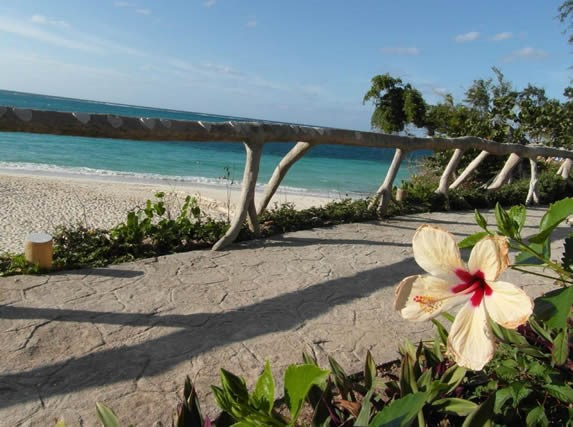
[303, 61]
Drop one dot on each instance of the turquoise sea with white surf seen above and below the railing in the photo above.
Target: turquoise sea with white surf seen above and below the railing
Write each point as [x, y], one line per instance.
[326, 169]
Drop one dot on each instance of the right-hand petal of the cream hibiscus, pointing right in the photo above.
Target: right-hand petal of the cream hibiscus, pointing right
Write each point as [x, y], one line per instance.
[508, 305]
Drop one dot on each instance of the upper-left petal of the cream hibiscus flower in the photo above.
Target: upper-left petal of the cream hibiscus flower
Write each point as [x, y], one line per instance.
[436, 252]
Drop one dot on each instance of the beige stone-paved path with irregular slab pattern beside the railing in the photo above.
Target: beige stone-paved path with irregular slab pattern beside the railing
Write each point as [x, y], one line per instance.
[127, 335]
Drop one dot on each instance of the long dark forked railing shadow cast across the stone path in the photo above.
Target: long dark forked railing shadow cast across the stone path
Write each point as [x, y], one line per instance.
[195, 334]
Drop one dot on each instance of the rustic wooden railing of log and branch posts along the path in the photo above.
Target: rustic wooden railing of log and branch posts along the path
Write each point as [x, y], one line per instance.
[255, 134]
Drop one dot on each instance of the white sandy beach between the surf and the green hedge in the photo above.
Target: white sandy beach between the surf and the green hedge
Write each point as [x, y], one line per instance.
[32, 203]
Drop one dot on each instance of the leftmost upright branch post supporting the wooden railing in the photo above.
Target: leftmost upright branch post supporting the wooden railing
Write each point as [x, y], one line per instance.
[246, 203]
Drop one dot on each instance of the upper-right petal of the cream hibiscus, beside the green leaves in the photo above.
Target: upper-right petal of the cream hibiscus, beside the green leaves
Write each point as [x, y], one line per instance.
[490, 256]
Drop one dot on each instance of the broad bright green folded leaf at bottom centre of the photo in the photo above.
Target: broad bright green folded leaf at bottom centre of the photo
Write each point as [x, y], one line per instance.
[298, 381]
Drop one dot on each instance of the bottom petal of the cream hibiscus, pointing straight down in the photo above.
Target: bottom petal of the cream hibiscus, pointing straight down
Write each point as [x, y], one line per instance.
[470, 341]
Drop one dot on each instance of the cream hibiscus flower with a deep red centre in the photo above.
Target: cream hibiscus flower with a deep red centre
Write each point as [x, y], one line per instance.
[450, 283]
